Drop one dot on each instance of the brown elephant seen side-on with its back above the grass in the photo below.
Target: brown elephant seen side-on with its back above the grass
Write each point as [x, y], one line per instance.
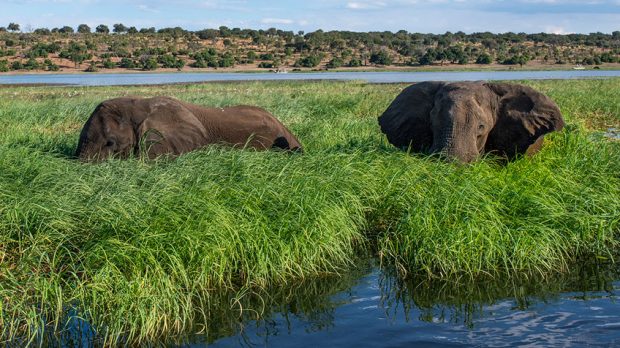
[162, 125]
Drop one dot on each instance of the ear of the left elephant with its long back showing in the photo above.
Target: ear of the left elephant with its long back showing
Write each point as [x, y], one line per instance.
[170, 128]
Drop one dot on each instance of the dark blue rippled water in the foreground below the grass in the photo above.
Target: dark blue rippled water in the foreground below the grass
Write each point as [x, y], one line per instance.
[372, 309]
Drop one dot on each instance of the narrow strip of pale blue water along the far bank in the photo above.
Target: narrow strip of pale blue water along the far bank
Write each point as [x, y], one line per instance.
[372, 77]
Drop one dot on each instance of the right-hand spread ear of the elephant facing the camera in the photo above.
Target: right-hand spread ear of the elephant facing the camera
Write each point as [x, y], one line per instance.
[524, 116]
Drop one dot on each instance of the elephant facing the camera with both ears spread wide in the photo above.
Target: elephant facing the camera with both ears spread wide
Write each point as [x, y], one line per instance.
[464, 119]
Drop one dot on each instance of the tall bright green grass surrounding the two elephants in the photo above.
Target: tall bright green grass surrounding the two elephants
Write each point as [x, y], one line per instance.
[141, 248]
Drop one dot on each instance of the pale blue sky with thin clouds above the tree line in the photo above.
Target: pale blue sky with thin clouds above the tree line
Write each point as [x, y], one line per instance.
[427, 16]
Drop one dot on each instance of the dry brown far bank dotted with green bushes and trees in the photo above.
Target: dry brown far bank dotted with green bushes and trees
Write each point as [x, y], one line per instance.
[121, 47]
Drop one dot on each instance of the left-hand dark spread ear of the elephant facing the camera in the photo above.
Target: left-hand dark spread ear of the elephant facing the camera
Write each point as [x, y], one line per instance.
[406, 122]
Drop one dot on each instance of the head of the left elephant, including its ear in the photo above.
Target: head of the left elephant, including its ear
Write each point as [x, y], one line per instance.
[124, 126]
